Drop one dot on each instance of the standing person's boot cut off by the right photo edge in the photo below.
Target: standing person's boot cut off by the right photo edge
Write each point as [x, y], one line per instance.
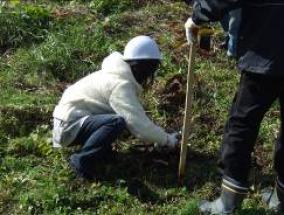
[274, 198]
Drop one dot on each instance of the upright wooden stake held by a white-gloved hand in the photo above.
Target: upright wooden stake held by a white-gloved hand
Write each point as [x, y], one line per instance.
[187, 116]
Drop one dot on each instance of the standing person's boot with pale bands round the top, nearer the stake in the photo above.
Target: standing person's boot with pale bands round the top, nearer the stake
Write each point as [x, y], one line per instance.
[231, 198]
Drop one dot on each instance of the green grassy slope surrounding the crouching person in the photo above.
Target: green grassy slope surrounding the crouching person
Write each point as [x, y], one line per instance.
[65, 41]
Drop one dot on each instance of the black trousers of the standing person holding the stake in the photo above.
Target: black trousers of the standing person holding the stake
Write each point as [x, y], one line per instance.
[255, 96]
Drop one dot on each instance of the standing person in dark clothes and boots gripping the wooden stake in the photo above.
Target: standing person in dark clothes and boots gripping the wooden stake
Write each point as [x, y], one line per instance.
[261, 64]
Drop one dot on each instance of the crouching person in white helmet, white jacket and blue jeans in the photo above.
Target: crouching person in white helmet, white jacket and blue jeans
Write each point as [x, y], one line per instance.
[96, 109]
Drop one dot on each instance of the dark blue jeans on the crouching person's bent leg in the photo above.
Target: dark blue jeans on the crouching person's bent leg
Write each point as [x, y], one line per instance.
[96, 136]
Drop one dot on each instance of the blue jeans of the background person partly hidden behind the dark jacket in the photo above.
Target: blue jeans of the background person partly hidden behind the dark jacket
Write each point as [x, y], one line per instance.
[231, 25]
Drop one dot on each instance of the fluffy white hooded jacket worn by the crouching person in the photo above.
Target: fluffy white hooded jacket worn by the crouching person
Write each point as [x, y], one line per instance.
[113, 89]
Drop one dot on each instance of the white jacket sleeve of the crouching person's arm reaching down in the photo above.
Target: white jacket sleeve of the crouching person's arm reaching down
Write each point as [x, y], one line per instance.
[125, 103]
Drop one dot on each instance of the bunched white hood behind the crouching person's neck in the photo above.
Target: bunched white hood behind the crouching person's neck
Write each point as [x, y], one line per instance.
[115, 64]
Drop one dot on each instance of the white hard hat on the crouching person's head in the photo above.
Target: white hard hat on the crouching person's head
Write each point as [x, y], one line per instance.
[142, 48]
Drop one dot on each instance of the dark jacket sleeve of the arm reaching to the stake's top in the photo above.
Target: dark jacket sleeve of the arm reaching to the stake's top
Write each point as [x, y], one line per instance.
[212, 10]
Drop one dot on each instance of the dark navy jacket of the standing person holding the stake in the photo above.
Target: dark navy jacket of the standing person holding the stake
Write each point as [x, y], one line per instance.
[261, 36]
